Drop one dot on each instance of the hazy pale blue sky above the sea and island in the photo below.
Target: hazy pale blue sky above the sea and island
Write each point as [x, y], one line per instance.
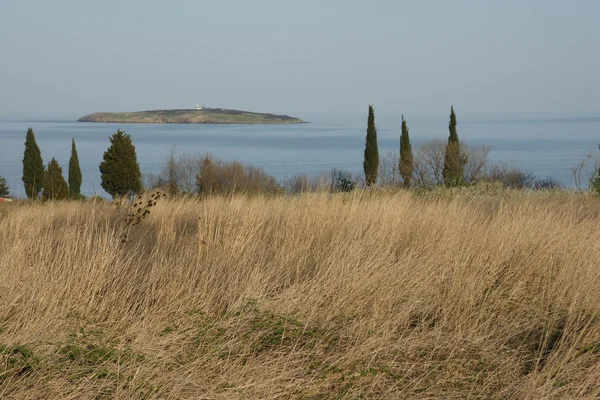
[64, 58]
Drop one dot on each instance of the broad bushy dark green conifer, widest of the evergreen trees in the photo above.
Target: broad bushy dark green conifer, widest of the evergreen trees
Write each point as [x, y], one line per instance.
[120, 172]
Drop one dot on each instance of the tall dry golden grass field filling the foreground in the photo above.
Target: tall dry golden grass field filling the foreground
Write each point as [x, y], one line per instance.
[365, 295]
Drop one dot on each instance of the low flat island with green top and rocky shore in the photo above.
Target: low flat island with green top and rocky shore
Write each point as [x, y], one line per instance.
[199, 115]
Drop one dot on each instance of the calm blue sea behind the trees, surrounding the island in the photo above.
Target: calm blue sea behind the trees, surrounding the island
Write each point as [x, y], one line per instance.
[547, 147]
